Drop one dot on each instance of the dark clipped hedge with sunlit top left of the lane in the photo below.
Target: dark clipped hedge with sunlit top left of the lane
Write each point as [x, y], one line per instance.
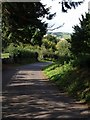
[20, 54]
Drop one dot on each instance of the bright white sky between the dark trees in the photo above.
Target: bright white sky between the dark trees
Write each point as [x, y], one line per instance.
[70, 19]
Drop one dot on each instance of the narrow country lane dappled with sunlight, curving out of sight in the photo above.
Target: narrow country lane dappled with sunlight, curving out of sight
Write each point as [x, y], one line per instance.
[28, 94]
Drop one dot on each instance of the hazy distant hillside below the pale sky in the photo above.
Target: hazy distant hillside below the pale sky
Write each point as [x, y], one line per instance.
[61, 34]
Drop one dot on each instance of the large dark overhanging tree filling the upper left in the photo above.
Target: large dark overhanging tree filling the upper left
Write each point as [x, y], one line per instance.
[20, 21]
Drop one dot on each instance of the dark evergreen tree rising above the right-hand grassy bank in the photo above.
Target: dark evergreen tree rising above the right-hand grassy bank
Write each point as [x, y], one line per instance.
[80, 39]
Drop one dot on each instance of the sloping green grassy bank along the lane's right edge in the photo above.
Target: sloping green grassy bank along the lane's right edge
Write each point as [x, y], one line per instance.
[75, 81]
